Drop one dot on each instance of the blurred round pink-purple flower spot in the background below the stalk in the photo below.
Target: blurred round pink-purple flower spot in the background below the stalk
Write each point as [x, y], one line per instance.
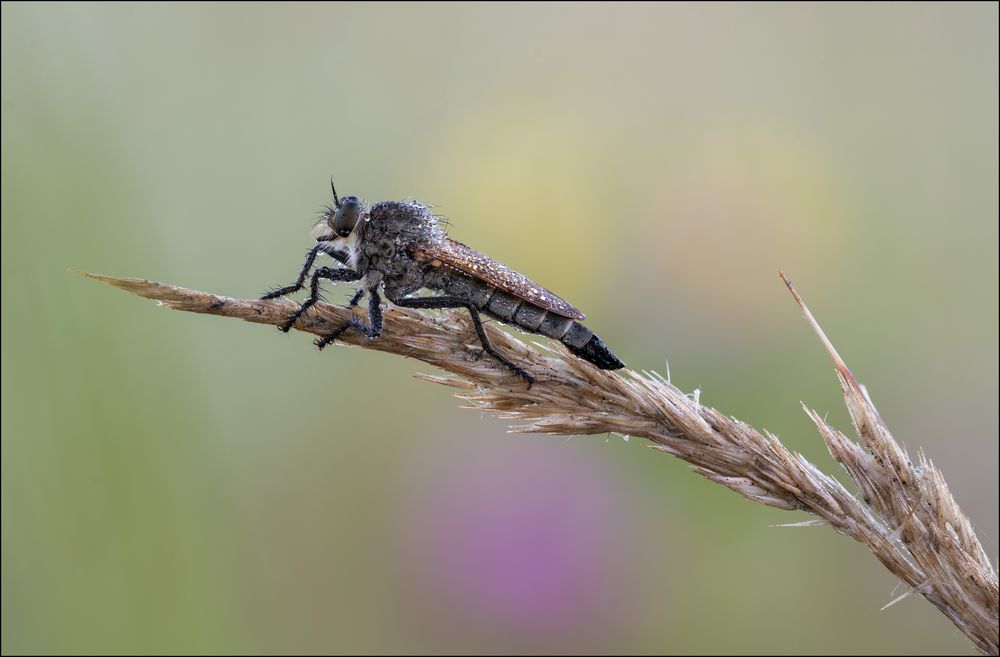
[523, 539]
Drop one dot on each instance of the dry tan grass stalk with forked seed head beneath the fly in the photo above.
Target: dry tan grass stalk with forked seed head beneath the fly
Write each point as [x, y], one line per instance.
[905, 515]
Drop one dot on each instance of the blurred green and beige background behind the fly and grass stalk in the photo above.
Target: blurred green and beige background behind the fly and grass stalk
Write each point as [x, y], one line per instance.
[174, 482]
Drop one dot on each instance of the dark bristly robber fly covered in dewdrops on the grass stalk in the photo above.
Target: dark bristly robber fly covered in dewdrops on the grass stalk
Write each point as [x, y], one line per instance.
[401, 247]
